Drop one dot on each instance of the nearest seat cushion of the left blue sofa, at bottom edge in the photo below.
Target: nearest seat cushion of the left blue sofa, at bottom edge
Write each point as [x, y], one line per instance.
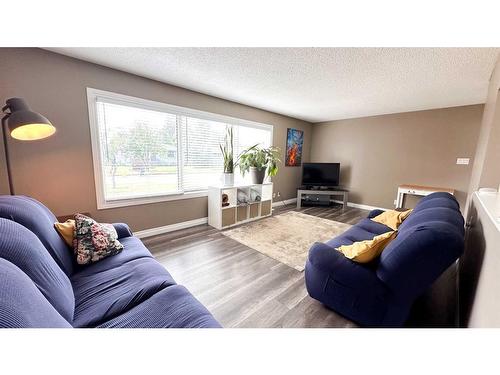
[173, 307]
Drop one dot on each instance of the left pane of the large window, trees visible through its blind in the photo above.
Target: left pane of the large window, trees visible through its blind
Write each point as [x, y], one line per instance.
[138, 151]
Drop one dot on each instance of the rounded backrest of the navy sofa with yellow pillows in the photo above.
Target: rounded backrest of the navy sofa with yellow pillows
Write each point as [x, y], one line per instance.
[428, 242]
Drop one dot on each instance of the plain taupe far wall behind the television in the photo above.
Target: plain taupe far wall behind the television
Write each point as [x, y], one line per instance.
[381, 152]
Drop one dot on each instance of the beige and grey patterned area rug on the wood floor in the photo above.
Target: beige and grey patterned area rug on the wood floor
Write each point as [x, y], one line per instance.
[287, 237]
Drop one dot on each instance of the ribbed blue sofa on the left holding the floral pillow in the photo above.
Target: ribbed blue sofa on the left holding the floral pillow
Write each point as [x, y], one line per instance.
[42, 286]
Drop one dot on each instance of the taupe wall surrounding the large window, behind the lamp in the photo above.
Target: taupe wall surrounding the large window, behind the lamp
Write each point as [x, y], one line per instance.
[58, 171]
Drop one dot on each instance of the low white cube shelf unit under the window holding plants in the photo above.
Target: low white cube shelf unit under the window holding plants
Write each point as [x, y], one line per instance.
[222, 217]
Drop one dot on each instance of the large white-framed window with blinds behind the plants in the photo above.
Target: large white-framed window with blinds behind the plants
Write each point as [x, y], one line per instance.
[147, 151]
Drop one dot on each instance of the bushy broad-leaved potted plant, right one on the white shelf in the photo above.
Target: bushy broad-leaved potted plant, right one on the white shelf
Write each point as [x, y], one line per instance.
[259, 160]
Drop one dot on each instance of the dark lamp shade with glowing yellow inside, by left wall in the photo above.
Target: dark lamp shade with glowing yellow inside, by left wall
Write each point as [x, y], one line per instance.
[25, 124]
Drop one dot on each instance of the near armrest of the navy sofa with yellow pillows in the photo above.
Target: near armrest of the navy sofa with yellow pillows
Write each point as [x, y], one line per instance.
[344, 270]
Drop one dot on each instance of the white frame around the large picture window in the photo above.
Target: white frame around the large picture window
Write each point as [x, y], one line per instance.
[115, 98]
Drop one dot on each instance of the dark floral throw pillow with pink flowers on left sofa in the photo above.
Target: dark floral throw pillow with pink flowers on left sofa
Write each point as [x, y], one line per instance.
[94, 241]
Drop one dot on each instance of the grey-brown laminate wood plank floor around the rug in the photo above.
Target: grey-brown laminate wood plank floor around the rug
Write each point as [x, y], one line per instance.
[240, 286]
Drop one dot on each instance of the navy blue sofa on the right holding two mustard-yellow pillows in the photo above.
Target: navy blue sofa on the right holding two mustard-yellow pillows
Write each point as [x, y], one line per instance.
[381, 293]
